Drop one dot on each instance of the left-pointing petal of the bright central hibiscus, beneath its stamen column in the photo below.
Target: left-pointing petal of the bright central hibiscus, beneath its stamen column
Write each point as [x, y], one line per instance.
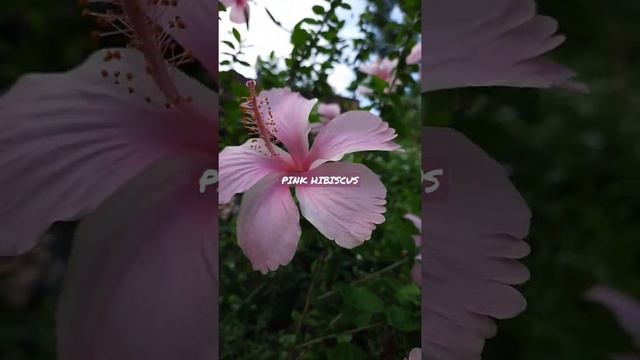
[241, 167]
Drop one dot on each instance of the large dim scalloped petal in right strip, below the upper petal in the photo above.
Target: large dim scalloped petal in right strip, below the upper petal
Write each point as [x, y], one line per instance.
[473, 240]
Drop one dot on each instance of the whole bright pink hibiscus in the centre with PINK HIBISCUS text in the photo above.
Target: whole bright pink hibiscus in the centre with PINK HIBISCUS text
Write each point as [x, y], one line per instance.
[268, 223]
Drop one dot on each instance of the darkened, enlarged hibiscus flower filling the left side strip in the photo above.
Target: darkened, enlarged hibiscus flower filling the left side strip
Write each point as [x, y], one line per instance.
[122, 142]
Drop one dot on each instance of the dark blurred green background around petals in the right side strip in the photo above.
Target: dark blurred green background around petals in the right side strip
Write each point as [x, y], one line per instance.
[575, 160]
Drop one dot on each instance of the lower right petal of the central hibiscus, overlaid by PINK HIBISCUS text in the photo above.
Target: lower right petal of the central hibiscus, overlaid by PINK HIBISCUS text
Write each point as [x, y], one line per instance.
[348, 215]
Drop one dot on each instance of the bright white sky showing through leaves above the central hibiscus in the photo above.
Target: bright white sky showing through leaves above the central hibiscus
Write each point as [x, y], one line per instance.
[264, 36]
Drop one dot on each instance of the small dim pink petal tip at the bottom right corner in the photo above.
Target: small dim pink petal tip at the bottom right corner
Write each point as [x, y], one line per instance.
[625, 308]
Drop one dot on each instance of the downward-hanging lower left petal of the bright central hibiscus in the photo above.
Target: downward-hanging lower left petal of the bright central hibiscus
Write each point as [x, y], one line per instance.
[268, 225]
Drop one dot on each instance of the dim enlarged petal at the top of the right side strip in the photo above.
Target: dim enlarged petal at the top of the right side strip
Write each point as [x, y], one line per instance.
[490, 43]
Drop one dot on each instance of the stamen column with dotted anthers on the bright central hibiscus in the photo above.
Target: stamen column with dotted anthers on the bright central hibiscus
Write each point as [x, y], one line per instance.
[258, 119]
